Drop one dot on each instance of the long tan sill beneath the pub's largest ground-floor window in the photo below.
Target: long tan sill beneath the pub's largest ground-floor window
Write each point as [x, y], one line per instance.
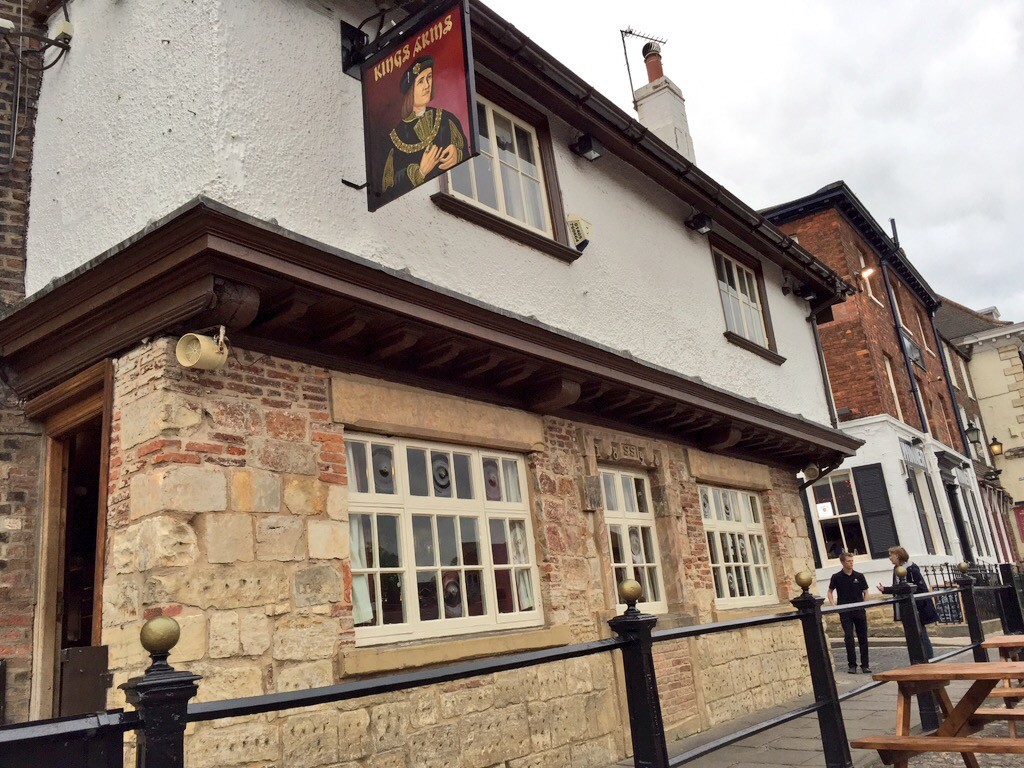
[376, 659]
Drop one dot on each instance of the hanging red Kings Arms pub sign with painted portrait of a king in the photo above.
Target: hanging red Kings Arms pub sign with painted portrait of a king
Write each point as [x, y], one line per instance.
[419, 105]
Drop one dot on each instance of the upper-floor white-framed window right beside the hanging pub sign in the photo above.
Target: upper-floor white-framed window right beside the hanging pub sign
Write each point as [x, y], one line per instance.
[507, 177]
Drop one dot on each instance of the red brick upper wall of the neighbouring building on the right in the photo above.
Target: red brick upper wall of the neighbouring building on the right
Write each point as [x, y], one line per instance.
[863, 334]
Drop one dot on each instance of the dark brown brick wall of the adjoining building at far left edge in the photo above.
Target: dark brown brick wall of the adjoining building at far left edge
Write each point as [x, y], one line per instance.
[21, 444]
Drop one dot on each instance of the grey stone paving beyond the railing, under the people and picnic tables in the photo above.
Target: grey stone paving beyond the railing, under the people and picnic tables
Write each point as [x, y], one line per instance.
[799, 742]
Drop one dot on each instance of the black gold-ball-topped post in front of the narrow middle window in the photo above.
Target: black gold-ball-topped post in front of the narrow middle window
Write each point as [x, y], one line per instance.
[647, 728]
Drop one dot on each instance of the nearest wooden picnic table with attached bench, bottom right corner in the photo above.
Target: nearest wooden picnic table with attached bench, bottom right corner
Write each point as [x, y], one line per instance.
[960, 720]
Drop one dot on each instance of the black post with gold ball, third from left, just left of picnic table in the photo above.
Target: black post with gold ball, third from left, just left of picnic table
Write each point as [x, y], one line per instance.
[835, 744]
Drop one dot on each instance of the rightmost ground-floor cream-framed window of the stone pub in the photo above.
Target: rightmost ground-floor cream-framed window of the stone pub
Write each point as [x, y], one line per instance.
[738, 547]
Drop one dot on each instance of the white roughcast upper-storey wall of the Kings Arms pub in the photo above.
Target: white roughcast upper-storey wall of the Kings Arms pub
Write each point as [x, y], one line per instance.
[245, 102]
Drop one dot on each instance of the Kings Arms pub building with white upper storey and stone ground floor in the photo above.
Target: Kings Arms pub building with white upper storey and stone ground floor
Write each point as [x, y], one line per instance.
[333, 444]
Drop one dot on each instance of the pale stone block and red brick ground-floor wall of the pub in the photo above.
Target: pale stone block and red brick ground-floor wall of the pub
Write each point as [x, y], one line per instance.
[229, 511]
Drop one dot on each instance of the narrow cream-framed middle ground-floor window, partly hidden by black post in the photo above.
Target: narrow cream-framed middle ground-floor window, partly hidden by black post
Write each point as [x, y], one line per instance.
[629, 516]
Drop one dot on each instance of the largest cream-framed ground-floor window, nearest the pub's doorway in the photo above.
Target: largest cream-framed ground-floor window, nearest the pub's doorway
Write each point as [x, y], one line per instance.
[441, 540]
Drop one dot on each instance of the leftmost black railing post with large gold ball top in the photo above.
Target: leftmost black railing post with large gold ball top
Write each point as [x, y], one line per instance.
[161, 697]
